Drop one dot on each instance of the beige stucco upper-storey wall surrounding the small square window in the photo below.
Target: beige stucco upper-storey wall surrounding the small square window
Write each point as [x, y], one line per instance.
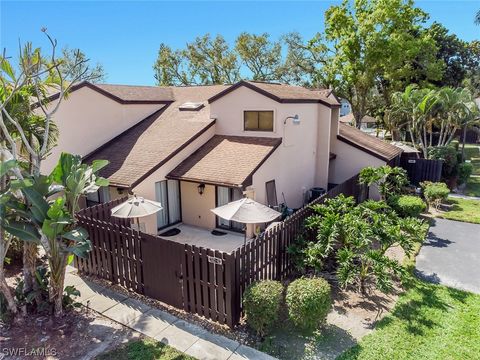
[293, 164]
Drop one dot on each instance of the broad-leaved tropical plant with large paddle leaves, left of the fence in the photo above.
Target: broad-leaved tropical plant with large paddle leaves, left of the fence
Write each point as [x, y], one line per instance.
[52, 219]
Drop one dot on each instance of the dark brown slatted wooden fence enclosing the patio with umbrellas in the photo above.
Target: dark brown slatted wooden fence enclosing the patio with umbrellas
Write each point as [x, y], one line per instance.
[199, 280]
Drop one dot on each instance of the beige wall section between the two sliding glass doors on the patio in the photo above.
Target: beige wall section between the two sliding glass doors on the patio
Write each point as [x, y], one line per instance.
[196, 207]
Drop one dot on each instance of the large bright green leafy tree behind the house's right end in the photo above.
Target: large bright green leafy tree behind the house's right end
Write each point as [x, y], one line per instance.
[372, 44]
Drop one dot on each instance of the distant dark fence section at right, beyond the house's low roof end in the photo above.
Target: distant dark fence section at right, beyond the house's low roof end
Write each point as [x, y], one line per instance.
[422, 169]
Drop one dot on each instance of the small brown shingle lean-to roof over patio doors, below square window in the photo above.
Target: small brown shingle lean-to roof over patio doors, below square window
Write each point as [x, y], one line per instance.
[226, 160]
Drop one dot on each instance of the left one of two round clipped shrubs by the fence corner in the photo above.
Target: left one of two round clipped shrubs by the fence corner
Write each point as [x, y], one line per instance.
[261, 303]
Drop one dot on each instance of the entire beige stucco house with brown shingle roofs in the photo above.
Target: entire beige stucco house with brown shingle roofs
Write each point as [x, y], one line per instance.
[197, 147]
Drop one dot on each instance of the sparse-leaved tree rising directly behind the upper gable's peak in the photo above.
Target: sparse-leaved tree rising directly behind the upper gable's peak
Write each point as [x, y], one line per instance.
[260, 55]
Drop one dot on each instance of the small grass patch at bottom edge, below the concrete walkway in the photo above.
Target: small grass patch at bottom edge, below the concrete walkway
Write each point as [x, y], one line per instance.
[144, 349]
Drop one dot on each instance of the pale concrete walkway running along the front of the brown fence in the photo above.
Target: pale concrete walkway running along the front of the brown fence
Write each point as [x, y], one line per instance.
[160, 325]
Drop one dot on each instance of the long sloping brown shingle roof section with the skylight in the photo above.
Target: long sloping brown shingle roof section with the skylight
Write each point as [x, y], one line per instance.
[143, 148]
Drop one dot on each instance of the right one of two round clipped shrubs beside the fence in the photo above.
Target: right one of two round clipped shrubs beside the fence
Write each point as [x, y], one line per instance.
[309, 301]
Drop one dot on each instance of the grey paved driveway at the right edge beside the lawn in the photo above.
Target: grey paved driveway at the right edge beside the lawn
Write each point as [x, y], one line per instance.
[451, 255]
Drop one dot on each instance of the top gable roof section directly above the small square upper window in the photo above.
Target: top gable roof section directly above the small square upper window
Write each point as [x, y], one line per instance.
[285, 93]
